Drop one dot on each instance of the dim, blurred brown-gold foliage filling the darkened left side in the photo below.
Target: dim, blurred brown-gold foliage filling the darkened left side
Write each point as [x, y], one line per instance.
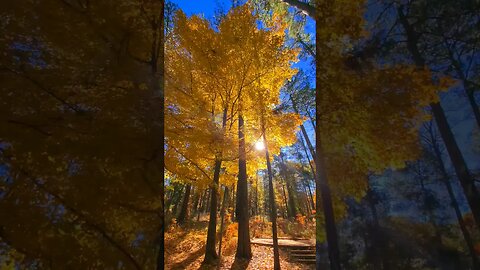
[64, 115]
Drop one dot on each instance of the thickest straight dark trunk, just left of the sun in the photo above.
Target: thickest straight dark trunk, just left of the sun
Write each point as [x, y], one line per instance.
[244, 250]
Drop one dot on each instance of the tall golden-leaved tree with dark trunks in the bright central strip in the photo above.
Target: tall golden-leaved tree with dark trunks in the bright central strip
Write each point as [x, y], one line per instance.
[222, 70]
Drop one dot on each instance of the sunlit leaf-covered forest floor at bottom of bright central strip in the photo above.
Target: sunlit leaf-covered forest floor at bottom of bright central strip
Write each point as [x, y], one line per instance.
[185, 249]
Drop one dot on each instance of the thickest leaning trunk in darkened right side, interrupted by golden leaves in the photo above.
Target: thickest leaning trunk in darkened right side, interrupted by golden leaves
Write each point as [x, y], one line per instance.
[464, 176]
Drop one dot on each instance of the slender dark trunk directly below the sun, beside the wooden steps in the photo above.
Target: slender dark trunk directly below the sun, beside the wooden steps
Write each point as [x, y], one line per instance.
[273, 211]
